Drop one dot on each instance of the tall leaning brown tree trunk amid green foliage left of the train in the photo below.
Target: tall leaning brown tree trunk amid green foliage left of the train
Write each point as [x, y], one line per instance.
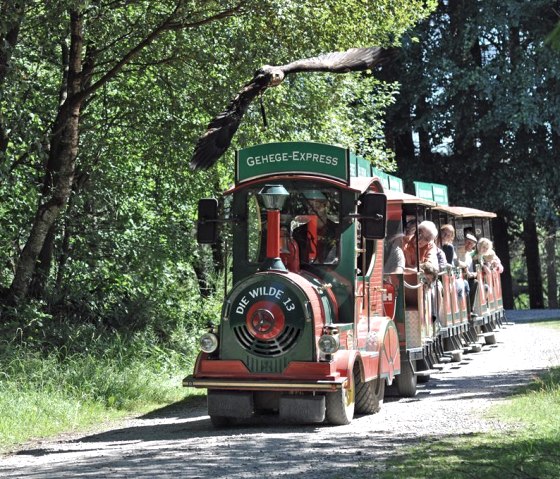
[60, 168]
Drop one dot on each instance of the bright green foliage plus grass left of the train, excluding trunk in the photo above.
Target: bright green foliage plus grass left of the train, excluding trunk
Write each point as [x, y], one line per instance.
[116, 322]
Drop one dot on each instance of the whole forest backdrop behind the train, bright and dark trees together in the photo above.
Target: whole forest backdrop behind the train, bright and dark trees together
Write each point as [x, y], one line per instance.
[101, 104]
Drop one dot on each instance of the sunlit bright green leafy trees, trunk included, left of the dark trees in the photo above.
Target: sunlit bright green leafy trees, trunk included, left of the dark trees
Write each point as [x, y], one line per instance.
[113, 98]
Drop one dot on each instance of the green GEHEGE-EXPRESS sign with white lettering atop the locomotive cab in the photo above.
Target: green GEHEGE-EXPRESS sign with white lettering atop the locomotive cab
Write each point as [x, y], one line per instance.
[292, 157]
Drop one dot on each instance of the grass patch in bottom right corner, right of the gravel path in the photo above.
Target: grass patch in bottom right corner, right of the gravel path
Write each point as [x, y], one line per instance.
[530, 450]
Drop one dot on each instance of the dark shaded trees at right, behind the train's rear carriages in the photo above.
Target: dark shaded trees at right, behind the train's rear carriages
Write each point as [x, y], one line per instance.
[480, 88]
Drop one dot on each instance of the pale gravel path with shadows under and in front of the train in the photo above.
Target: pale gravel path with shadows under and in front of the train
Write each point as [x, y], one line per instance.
[179, 441]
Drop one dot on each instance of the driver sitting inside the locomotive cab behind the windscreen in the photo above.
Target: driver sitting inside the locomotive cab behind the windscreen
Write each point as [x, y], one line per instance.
[327, 234]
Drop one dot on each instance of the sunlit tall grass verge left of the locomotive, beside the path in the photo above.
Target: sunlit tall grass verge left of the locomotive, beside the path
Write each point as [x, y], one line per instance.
[43, 395]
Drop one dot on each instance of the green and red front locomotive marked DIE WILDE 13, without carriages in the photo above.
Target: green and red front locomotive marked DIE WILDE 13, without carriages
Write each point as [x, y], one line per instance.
[302, 331]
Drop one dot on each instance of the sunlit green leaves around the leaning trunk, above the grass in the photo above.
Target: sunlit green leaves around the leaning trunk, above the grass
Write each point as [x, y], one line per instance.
[124, 254]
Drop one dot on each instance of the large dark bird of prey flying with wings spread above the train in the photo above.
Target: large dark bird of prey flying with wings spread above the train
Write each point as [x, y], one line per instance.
[212, 144]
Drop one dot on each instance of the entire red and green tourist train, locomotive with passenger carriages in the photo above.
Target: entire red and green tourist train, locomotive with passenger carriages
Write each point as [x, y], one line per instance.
[314, 328]
